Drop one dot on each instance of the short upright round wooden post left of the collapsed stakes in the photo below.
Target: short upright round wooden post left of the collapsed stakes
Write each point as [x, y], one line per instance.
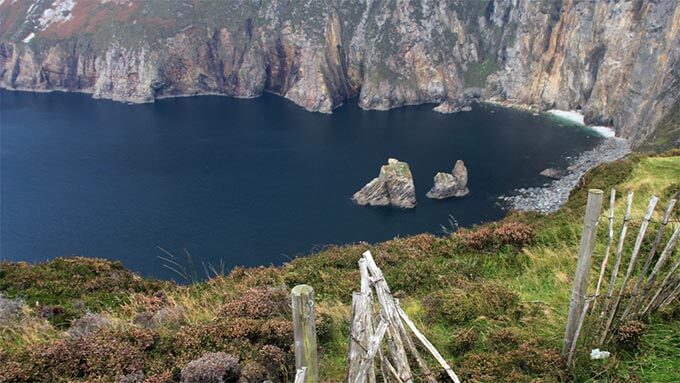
[304, 328]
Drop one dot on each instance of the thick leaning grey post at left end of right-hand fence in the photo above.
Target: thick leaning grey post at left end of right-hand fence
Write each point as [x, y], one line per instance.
[585, 259]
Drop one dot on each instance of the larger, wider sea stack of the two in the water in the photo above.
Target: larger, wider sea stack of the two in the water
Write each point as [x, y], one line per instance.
[393, 186]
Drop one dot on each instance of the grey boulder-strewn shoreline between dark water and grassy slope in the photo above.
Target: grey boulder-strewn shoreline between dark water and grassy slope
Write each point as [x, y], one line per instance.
[552, 195]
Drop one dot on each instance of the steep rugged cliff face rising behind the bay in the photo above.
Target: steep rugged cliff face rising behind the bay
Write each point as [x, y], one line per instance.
[618, 61]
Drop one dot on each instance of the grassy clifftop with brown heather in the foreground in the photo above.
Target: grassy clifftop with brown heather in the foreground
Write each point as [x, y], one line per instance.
[493, 299]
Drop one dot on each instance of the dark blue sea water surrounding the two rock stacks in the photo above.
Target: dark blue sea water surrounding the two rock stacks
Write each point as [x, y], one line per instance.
[248, 182]
